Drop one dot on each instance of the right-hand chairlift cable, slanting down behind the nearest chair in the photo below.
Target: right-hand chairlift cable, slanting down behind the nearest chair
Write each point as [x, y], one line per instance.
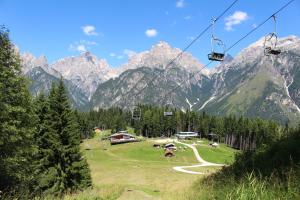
[234, 44]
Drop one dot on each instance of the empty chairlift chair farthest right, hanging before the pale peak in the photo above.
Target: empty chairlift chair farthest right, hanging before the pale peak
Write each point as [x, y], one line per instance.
[270, 43]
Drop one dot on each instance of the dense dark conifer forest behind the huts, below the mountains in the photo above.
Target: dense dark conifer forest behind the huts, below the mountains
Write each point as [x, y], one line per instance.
[237, 132]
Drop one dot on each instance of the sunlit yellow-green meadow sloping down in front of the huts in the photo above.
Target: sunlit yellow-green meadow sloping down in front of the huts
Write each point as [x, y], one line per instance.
[140, 171]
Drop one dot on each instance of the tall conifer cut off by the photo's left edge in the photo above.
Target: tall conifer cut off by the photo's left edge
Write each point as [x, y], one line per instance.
[16, 119]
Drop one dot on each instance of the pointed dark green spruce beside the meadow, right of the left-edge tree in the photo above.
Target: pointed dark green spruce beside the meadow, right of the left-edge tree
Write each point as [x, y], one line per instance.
[62, 167]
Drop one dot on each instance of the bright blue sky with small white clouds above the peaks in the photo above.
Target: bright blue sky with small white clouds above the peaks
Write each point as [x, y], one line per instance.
[113, 29]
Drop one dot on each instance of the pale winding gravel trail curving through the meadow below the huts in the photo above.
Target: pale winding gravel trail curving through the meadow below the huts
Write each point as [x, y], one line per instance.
[202, 162]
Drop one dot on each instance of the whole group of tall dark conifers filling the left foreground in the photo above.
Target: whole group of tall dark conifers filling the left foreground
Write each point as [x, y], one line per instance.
[39, 137]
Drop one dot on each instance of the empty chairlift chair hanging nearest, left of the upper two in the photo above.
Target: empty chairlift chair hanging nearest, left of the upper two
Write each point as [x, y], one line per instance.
[216, 56]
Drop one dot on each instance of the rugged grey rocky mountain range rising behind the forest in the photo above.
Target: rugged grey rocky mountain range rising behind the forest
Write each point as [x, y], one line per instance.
[249, 84]
